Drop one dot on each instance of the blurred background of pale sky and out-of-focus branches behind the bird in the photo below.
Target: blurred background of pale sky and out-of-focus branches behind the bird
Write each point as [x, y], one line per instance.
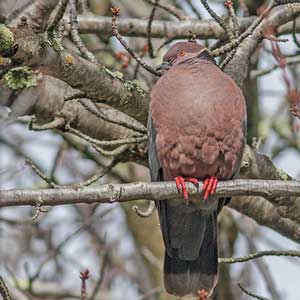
[43, 258]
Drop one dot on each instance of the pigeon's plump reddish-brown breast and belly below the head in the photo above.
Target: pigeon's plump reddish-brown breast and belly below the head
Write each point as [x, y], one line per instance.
[199, 122]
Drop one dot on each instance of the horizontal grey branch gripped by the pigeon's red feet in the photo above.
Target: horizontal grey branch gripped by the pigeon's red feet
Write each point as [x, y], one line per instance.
[111, 193]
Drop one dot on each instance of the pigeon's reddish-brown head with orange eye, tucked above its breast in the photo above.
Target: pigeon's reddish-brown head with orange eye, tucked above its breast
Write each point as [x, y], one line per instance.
[183, 51]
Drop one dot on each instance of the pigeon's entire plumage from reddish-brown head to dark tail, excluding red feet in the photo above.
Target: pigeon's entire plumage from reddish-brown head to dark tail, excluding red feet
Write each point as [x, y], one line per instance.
[196, 129]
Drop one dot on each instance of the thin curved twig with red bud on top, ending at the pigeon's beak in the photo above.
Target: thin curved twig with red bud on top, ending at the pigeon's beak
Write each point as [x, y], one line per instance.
[116, 11]
